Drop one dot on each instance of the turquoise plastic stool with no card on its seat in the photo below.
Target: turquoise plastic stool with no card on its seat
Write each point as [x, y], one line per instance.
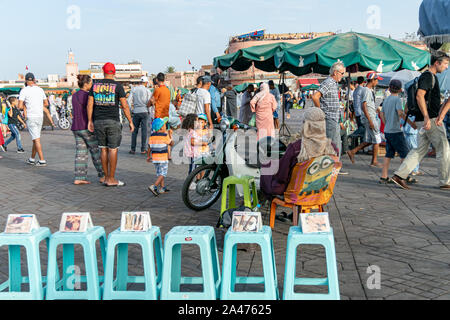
[205, 238]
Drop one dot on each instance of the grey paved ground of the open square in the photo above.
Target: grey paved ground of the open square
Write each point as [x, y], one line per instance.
[404, 233]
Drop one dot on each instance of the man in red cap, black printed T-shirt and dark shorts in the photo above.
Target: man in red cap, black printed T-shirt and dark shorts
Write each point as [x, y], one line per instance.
[105, 99]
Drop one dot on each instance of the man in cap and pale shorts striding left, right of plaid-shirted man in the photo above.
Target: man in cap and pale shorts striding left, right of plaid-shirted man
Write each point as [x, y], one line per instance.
[369, 120]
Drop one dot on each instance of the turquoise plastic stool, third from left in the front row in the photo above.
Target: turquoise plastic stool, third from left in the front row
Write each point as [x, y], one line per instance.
[118, 289]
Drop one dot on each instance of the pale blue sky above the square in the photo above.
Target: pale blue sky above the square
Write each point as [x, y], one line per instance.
[162, 33]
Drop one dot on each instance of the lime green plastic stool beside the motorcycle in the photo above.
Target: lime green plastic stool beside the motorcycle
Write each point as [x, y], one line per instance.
[250, 193]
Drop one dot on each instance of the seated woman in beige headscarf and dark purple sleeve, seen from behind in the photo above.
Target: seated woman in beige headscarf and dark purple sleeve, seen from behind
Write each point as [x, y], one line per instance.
[311, 142]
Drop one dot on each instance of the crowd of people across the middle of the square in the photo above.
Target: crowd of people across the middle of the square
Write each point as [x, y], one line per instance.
[98, 109]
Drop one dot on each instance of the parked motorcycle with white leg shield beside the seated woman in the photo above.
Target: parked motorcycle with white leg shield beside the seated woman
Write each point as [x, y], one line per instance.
[203, 187]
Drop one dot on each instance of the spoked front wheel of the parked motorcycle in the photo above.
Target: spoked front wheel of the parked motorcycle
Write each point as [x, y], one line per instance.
[199, 191]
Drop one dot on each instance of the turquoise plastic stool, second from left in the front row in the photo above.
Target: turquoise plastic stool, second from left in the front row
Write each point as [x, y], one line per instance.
[61, 289]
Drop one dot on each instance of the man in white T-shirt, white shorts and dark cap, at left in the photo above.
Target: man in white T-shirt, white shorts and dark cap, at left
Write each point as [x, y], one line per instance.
[33, 101]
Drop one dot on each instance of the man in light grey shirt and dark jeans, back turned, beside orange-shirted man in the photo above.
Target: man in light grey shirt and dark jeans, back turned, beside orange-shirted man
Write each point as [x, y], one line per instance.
[139, 98]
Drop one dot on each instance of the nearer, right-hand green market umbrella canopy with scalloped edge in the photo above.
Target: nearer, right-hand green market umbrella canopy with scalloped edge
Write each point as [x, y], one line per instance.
[359, 52]
